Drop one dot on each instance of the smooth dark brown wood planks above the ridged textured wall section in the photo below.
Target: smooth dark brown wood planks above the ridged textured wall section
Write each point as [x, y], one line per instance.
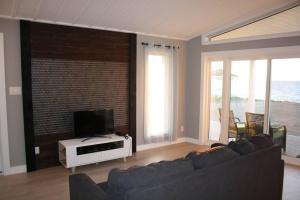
[65, 42]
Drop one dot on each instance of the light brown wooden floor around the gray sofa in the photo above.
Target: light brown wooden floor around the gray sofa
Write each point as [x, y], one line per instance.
[52, 183]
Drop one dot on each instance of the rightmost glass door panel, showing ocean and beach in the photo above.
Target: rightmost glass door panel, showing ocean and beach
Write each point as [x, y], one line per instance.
[285, 104]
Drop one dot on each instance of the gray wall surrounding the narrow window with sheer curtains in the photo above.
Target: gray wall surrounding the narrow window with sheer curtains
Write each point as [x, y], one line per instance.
[140, 84]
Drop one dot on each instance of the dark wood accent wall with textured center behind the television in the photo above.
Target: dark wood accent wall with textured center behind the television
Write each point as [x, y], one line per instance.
[65, 69]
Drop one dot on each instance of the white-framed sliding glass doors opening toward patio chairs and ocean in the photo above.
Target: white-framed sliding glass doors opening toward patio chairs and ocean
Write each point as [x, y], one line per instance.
[238, 87]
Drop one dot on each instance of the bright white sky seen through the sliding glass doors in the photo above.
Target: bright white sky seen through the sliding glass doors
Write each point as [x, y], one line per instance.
[282, 70]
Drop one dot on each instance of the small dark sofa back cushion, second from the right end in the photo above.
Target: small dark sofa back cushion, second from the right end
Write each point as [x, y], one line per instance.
[242, 146]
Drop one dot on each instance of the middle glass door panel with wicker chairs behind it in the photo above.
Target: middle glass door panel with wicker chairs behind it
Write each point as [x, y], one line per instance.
[247, 97]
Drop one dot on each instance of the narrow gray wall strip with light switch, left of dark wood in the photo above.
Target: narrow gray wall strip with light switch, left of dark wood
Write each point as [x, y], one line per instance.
[12, 59]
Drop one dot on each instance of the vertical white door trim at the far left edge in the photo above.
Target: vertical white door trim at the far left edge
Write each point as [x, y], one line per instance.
[3, 112]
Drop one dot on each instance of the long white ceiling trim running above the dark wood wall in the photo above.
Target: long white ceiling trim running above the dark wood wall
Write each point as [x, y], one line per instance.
[92, 27]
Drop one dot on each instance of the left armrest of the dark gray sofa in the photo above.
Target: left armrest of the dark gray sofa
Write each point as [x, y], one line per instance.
[83, 187]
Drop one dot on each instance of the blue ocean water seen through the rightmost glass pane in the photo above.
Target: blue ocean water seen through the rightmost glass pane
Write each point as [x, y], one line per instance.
[285, 91]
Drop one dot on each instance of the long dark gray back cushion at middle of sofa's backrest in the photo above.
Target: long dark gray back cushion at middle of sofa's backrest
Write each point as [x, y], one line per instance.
[211, 157]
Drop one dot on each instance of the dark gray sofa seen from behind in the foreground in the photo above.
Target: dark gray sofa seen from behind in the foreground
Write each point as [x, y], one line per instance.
[244, 171]
